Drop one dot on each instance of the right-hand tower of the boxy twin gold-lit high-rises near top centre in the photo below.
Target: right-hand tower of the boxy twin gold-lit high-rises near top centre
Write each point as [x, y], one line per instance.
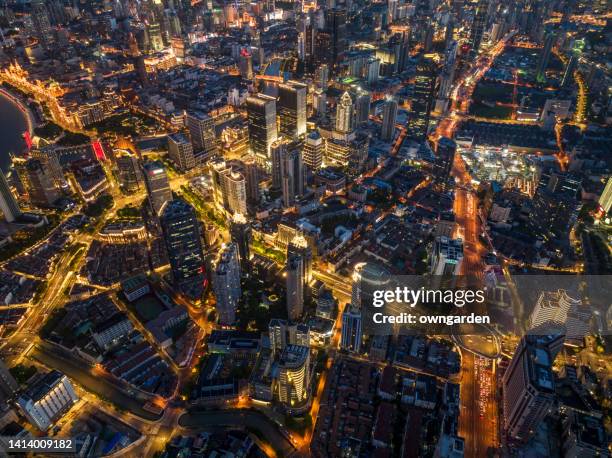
[292, 108]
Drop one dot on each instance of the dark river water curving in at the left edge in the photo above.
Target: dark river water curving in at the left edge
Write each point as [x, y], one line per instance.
[13, 124]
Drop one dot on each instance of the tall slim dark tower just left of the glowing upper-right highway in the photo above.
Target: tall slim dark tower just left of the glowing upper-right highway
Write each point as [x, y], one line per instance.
[421, 104]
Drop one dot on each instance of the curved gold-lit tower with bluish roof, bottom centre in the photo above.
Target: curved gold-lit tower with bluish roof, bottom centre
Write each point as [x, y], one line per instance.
[294, 376]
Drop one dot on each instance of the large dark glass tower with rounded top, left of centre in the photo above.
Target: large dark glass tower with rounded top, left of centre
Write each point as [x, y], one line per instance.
[181, 231]
